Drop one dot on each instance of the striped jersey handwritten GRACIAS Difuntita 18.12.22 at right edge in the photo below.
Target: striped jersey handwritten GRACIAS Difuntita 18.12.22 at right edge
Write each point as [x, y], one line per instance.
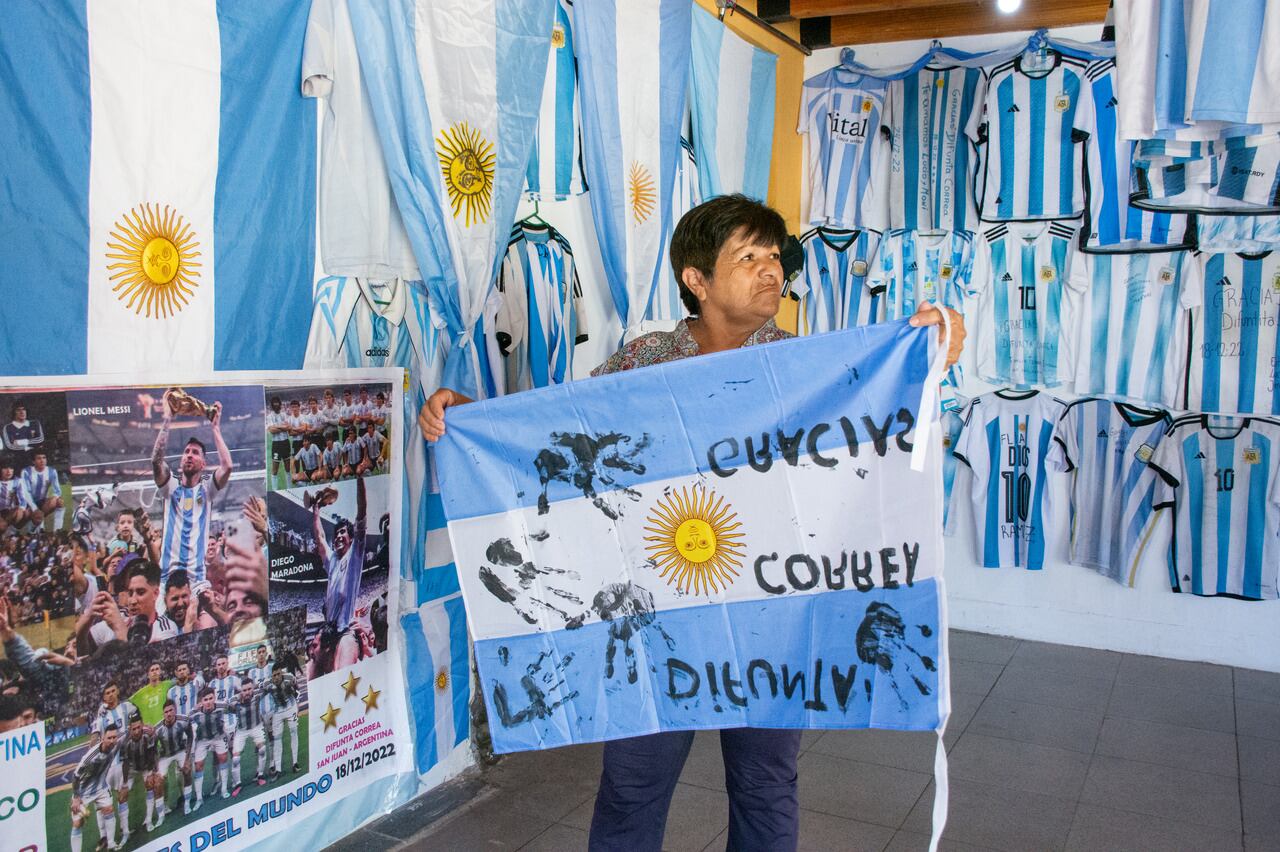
[1233, 349]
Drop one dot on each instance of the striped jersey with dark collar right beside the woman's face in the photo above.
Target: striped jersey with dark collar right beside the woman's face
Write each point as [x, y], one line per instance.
[835, 288]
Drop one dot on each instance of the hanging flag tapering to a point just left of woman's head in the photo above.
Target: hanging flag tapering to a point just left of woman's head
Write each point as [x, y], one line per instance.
[634, 71]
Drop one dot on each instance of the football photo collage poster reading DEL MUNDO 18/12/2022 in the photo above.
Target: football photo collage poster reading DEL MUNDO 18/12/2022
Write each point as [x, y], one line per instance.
[196, 598]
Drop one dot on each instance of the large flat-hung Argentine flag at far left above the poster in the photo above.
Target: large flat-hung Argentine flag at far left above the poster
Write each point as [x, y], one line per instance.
[159, 173]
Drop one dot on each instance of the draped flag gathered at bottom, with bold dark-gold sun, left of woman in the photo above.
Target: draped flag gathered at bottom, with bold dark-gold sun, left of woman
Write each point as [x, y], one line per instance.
[456, 88]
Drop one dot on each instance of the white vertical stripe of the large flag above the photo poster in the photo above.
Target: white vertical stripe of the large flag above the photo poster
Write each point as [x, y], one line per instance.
[145, 59]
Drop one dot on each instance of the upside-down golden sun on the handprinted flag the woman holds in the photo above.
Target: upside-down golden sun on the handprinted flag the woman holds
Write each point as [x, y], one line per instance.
[696, 543]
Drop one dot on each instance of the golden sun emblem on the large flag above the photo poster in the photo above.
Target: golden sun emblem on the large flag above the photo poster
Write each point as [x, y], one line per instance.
[156, 264]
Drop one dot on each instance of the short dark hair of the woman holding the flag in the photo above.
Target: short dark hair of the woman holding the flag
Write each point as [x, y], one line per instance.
[705, 231]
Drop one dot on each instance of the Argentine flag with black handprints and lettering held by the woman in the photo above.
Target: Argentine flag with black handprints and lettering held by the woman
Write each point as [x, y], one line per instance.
[749, 552]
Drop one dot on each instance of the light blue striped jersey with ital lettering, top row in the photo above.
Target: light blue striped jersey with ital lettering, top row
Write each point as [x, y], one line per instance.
[849, 152]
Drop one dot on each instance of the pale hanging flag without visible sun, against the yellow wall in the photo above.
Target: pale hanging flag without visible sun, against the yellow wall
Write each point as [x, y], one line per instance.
[733, 86]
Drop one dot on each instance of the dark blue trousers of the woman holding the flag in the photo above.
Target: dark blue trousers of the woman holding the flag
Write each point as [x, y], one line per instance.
[641, 777]
